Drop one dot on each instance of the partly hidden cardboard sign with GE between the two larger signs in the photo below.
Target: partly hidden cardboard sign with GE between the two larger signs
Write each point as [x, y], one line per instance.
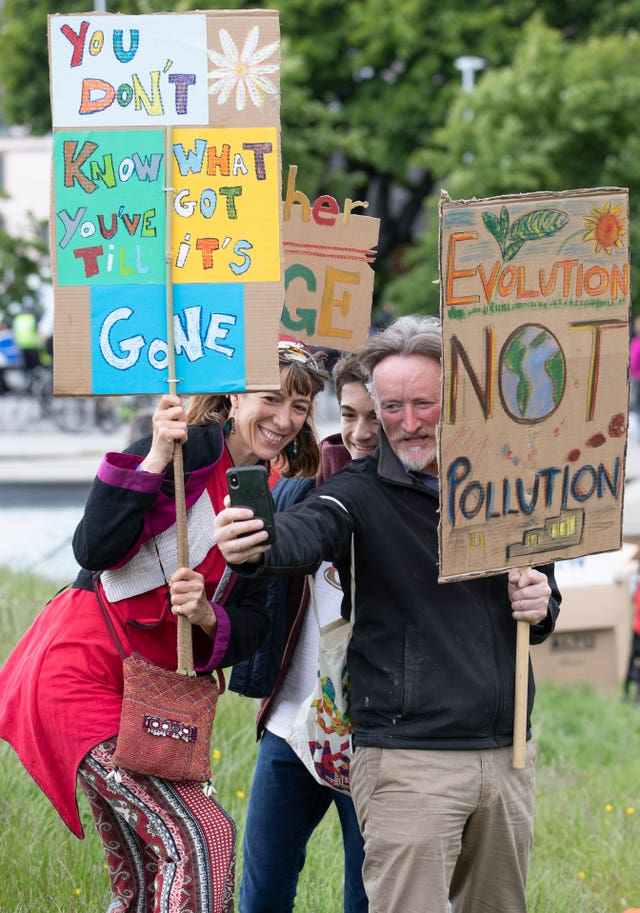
[328, 274]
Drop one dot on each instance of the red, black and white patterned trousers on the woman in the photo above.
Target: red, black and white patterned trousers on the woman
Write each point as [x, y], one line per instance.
[169, 848]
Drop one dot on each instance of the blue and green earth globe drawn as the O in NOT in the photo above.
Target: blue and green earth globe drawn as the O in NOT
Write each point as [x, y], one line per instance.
[532, 373]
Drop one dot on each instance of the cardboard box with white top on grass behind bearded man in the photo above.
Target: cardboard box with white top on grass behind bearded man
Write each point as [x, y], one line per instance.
[592, 639]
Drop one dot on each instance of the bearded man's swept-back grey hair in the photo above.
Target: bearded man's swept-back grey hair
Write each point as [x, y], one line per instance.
[410, 335]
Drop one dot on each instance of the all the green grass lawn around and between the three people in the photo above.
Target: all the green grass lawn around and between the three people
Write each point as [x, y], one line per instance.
[587, 833]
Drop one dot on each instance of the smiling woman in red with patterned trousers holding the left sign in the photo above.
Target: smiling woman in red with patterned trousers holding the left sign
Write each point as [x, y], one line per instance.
[168, 846]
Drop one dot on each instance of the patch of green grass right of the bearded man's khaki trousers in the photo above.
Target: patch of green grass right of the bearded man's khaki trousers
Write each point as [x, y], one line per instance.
[587, 827]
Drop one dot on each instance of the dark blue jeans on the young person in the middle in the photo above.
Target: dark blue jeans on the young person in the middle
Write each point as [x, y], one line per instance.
[285, 806]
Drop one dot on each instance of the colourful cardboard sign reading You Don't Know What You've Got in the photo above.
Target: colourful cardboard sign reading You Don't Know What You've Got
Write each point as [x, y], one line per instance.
[166, 183]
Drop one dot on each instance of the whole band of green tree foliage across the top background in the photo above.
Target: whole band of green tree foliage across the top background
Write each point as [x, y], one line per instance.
[372, 106]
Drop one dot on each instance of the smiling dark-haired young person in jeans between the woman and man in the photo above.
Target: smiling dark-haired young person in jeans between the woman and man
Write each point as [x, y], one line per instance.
[286, 804]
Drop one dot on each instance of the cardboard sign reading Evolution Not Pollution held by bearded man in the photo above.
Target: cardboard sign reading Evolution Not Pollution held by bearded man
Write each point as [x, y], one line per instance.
[535, 294]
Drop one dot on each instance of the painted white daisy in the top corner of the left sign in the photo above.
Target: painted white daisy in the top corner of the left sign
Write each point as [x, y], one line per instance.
[243, 72]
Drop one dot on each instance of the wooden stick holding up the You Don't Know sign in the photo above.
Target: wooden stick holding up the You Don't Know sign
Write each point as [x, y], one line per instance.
[185, 640]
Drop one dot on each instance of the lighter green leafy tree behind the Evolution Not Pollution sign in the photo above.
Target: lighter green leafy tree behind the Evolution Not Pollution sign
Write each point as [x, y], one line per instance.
[561, 116]
